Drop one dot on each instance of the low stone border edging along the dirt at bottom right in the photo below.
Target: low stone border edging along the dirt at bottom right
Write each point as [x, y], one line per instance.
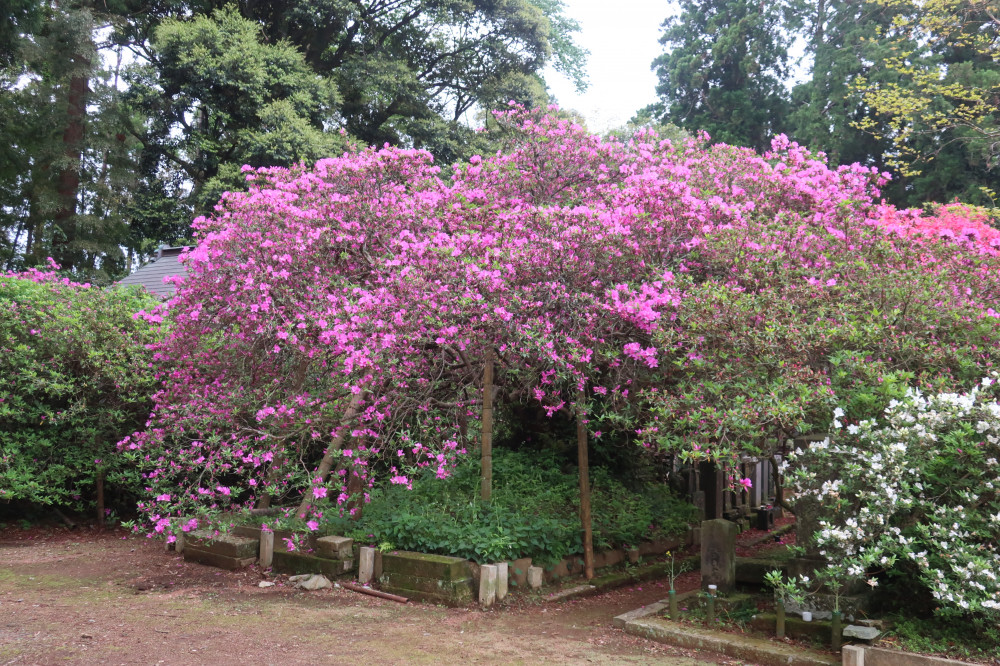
[755, 650]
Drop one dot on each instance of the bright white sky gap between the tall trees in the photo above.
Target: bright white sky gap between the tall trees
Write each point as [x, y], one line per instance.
[623, 39]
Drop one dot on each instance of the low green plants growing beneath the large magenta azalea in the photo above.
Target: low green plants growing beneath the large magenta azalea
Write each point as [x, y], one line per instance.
[534, 512]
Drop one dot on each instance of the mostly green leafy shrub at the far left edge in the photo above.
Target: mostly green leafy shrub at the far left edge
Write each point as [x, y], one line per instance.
[74, 375]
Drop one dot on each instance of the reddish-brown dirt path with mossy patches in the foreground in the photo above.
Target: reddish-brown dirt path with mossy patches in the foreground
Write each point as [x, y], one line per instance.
[90, 598]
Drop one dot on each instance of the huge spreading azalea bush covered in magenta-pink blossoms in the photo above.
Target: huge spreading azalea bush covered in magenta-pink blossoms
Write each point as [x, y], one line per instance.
[703, 299]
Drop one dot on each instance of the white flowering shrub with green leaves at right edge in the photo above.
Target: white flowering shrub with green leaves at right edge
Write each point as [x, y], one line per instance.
[915, 492]
